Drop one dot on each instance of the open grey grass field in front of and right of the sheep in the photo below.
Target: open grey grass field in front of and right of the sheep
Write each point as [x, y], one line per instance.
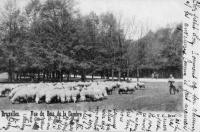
[155, 97]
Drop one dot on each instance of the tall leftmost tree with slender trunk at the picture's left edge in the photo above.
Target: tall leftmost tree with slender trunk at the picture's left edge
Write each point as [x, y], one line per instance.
[10, 29]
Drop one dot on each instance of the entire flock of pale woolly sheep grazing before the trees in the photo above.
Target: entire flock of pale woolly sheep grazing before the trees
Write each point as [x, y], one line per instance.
[65, 92]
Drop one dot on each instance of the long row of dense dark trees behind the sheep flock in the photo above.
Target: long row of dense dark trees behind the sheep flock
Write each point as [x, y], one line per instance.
[46, 40]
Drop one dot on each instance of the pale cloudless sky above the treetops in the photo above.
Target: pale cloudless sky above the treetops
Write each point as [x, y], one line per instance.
[149, 14]
